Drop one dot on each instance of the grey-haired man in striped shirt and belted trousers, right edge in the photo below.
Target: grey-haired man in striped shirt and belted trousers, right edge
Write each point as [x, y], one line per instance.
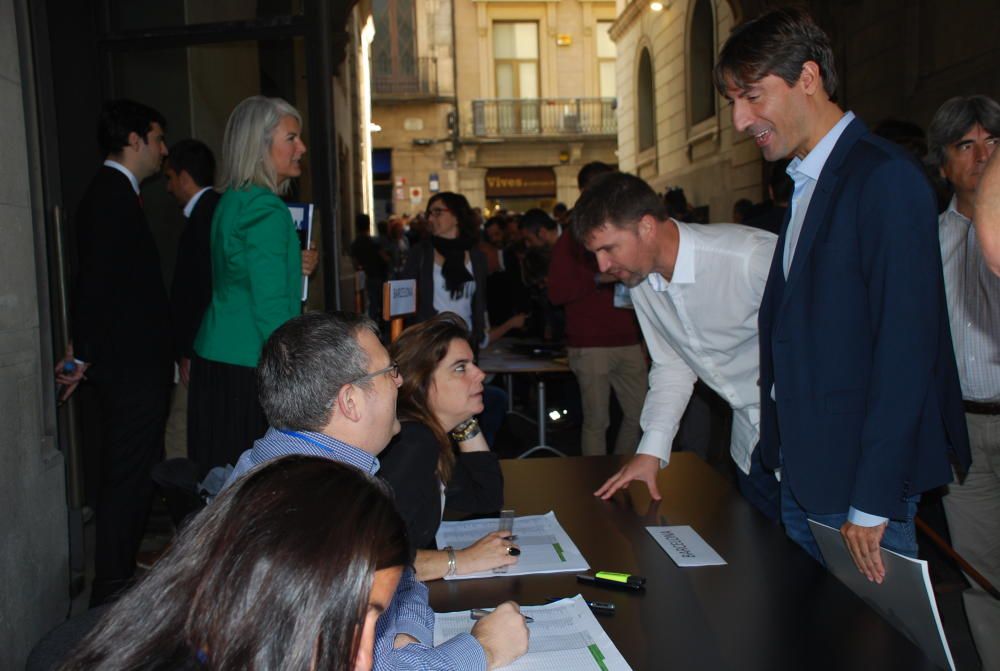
[962, 136]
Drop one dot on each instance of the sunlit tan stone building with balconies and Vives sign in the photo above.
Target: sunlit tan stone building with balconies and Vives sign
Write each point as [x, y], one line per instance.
[510, 99]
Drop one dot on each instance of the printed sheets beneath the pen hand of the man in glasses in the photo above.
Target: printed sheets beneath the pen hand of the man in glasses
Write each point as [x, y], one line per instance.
[565, 635]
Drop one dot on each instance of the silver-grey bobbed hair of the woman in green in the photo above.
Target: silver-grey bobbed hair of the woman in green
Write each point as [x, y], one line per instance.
[246, 144]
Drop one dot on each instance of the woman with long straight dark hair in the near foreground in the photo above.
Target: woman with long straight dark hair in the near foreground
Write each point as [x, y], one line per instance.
[289, 568]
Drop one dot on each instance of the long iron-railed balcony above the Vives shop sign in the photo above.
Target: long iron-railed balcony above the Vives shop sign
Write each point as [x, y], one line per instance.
[544, 117]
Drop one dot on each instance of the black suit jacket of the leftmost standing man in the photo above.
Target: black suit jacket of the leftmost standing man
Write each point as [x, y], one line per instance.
[120, 312]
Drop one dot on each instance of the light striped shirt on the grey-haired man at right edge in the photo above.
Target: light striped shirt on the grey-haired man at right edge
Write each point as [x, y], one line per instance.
[973, 295]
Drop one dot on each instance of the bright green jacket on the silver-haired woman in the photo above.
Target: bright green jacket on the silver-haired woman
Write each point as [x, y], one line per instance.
[256, 276]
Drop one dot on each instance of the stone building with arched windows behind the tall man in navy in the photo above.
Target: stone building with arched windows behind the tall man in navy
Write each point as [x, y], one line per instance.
[897, 59]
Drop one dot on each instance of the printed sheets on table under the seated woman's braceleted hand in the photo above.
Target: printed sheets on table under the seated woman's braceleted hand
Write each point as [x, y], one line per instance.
[545, 545]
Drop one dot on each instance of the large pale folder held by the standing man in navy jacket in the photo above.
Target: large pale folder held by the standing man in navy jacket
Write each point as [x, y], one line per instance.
[905, 598]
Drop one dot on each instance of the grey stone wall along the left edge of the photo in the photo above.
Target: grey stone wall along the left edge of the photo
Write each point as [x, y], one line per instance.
[34, 570]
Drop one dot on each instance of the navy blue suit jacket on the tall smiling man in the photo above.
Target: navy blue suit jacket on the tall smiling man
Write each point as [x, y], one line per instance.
[857, 343]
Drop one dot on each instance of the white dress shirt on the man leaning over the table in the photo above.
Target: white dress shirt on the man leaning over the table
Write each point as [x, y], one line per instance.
[703, 323]
